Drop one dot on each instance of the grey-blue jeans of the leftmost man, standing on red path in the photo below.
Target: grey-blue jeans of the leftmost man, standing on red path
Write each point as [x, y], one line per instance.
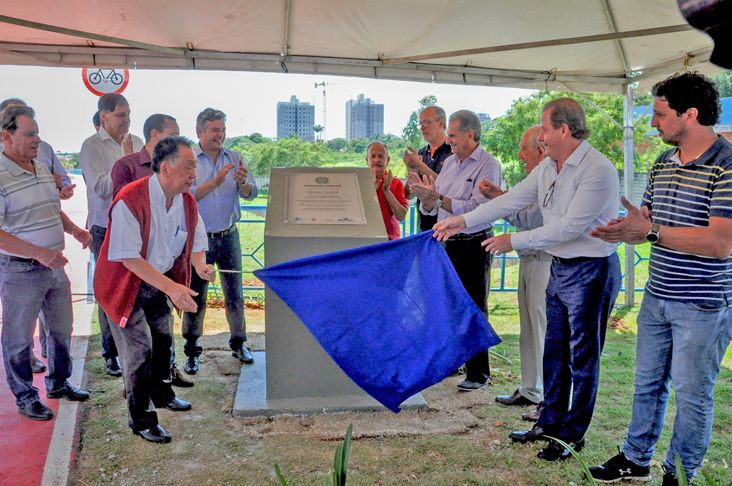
[26, 288]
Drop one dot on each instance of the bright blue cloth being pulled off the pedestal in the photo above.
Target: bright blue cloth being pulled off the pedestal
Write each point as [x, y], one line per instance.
[394, 315]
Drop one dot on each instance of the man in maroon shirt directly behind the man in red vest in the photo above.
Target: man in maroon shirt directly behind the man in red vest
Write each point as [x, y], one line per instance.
[139, 164]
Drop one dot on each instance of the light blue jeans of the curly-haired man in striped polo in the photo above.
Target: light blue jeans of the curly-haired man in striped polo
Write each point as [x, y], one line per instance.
[682, 343]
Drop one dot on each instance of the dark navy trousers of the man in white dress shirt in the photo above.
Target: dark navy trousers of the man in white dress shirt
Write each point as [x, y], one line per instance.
[579, 298]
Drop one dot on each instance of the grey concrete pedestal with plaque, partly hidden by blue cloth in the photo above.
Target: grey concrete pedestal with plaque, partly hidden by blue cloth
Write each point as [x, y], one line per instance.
[299, 377]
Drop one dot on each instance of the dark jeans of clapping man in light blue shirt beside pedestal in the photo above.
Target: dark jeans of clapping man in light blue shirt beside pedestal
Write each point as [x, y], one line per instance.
[225, 253]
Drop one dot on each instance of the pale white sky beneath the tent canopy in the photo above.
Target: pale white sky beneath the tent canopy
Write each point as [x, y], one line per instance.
[64, 107]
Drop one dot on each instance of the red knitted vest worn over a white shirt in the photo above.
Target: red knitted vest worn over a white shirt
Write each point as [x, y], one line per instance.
[115, 287]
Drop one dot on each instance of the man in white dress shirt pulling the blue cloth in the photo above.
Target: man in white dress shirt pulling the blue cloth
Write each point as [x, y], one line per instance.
[577, 189]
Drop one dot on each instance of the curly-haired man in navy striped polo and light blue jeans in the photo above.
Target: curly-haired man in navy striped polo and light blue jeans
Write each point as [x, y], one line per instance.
[685, 320]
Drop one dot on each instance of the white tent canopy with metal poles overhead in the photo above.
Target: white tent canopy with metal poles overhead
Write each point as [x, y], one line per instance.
[581, 45]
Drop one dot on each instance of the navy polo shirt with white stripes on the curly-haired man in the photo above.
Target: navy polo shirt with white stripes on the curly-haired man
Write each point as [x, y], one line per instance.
[687, 196]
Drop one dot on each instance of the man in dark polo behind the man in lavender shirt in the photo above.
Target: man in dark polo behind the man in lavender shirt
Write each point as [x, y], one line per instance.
[429, 160]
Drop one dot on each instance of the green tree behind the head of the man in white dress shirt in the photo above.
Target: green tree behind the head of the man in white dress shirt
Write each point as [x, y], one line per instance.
[504, 133]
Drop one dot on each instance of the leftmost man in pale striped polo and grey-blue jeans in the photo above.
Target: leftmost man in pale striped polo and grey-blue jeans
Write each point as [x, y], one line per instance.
[32, 276]
